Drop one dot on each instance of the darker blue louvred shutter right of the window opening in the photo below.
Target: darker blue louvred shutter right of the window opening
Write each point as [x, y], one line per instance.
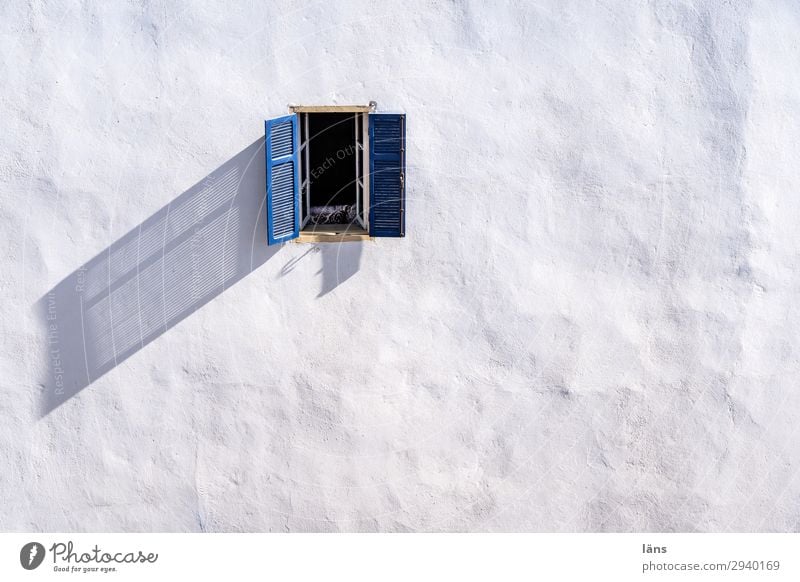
[387, 160]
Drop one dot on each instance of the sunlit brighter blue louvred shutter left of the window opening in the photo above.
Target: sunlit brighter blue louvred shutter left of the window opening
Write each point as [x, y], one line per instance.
[283, 179]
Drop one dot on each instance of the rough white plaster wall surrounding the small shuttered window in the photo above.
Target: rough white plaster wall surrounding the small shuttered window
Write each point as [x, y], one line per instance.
[592, 324]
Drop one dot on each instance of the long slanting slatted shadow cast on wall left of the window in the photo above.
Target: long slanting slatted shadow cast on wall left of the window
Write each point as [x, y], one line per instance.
[156, 275]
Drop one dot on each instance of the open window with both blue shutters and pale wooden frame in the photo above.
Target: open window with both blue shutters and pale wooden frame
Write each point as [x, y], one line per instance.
[335, 173]
